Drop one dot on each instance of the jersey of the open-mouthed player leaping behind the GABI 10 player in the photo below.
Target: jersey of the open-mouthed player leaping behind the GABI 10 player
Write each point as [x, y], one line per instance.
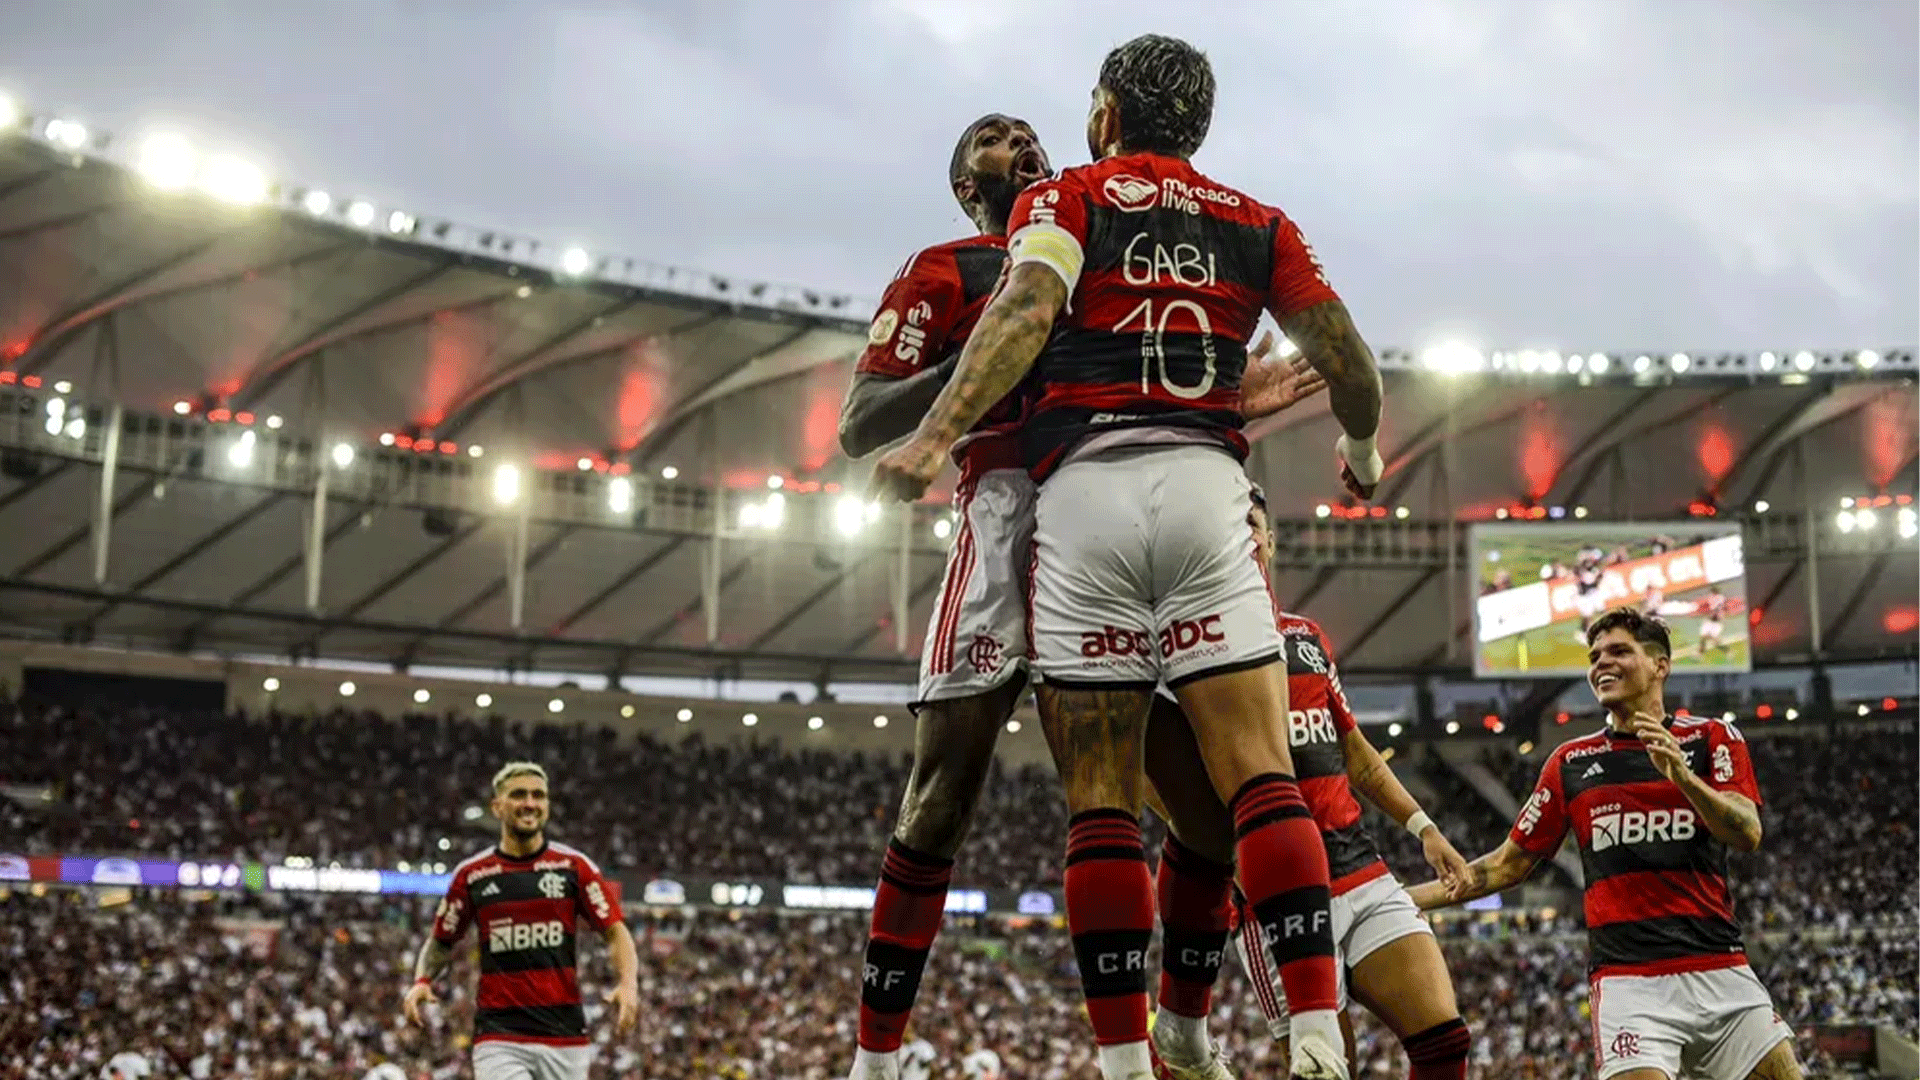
[926, 316]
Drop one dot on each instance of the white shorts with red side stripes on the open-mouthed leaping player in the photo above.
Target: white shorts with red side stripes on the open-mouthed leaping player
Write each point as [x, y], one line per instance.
[978, 633]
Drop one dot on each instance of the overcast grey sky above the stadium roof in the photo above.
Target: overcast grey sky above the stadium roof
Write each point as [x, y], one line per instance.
[1585, 174]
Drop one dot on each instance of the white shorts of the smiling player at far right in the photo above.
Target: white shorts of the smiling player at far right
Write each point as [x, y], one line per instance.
[1704, 1025]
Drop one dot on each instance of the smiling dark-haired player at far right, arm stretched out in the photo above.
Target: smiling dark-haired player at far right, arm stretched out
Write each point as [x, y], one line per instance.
[1654, 804]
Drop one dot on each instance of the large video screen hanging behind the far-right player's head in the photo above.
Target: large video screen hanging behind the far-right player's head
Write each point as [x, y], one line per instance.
[1539, 585]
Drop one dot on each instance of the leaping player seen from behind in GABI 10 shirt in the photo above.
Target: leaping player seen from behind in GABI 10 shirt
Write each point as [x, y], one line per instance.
[1143, 282]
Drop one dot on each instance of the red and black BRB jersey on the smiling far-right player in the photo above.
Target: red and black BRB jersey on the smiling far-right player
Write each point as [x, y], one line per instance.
[1656, 879]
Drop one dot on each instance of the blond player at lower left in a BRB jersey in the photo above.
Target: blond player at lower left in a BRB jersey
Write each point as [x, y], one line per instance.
[529, 896]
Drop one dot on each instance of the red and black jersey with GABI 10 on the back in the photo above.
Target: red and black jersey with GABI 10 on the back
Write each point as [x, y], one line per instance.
[1168, 274]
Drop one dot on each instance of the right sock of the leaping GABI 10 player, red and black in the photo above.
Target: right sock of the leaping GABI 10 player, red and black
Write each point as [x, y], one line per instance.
[1284, 871]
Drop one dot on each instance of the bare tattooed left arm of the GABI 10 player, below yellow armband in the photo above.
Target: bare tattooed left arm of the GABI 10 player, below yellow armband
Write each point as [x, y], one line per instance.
[999, 353]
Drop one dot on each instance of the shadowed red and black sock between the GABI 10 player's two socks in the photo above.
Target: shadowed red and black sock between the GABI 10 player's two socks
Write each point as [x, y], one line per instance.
[1195, 910]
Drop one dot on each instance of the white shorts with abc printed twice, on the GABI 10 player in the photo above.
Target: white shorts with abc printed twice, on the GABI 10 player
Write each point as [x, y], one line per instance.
[1145, 572]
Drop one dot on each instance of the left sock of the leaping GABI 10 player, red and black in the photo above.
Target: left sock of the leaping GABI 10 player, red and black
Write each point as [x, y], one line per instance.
[1111, 914]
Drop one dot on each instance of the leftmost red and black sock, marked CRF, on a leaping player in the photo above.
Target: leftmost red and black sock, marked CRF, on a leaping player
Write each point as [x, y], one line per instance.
[907, 914]
